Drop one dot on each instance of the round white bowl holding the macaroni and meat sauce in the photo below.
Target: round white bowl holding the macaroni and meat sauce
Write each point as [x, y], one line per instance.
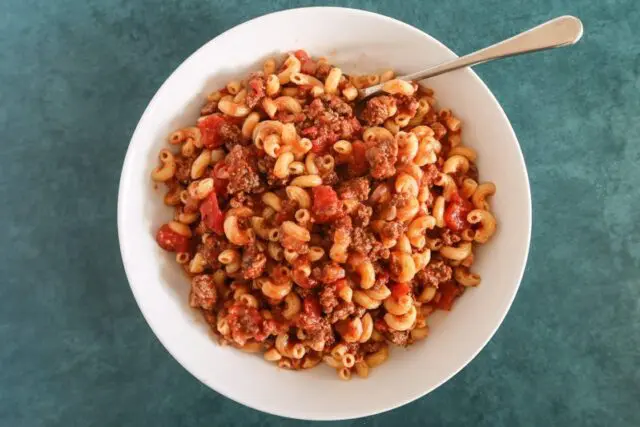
[357, 41]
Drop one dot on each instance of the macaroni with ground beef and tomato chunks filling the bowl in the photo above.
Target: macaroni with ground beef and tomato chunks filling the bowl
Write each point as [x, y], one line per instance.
[329, 236]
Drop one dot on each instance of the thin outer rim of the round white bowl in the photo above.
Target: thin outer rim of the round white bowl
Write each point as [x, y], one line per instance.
[218, 388]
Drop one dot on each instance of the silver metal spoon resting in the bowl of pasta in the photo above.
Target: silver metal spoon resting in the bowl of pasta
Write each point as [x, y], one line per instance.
[558, 32]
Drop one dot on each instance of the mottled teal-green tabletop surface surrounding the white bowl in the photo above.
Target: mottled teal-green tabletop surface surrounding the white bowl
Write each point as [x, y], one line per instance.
[75, 76]
